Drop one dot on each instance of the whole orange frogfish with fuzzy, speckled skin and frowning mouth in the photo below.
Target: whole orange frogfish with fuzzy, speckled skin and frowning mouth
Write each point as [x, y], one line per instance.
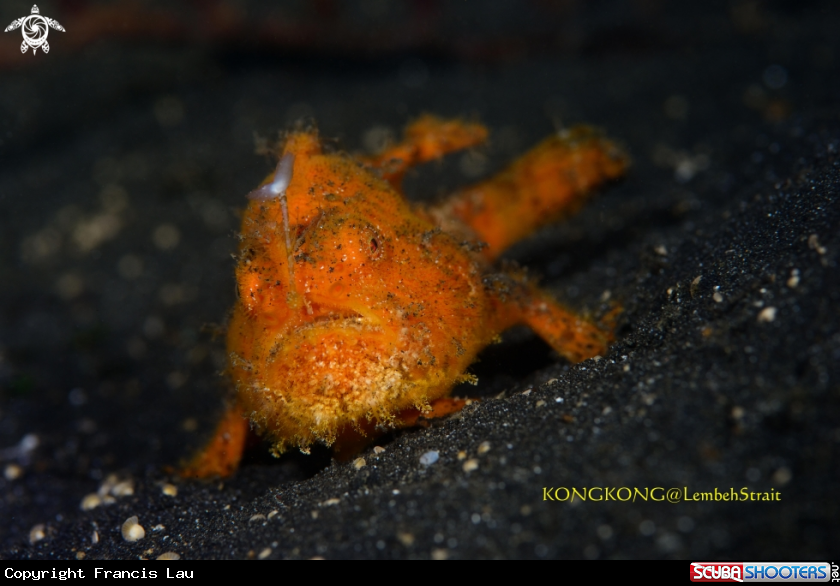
[387, 304]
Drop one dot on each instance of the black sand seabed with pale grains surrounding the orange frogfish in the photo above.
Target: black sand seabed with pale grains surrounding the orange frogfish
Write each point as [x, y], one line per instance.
[122, 168]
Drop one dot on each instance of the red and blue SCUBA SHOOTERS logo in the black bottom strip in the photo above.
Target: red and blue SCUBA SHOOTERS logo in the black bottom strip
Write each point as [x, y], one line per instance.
[763, 572]
